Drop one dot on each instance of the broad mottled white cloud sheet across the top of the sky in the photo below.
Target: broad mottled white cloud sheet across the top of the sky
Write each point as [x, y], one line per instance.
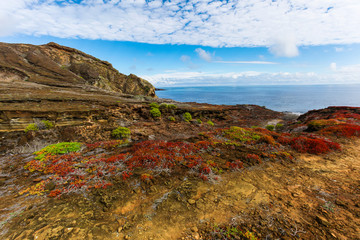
[198, 22]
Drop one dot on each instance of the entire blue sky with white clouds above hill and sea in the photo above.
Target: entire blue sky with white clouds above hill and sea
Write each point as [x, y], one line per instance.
[201, 43]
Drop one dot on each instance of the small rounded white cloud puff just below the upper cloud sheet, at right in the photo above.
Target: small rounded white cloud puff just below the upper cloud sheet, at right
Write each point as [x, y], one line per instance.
[284, 47]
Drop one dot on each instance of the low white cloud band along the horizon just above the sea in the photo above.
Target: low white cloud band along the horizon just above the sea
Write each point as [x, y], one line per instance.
[343, 74]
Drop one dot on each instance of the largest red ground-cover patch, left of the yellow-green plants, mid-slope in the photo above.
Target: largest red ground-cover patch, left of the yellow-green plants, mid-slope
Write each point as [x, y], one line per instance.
[74, 172]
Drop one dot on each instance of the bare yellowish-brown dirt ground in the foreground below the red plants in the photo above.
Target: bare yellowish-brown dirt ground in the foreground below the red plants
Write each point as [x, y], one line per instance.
[313, 197]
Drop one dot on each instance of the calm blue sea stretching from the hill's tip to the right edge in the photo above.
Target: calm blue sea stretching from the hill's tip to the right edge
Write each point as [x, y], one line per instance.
[298, 99]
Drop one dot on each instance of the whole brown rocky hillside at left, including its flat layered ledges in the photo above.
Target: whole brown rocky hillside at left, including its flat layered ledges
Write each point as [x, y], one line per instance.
[60, 84]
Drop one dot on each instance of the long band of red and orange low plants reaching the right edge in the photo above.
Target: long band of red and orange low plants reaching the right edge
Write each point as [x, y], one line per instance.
[78, 172]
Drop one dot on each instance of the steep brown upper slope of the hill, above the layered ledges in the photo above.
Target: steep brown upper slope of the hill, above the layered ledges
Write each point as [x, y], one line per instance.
[56, 65]
